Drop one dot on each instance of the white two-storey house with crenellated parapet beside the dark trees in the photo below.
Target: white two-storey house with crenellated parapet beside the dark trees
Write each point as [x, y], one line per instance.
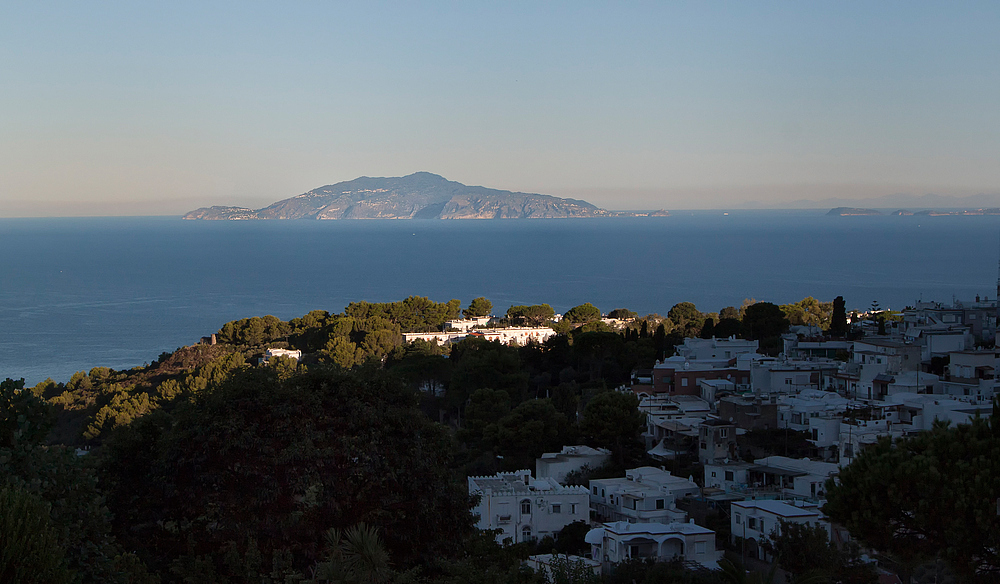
[525, 508]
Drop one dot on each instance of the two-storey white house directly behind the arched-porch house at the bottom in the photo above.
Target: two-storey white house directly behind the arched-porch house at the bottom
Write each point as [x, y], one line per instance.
[645, 495]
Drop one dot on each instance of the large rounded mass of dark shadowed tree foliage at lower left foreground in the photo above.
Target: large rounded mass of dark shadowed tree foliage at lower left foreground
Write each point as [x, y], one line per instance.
[248, 476]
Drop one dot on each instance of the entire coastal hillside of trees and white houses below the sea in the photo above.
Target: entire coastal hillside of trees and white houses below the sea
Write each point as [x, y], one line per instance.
[799, 441]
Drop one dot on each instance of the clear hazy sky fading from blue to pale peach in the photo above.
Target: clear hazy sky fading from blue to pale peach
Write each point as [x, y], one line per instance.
[157, 108]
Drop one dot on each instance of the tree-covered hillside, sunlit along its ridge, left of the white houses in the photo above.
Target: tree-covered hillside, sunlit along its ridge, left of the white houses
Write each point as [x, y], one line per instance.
[208, 466]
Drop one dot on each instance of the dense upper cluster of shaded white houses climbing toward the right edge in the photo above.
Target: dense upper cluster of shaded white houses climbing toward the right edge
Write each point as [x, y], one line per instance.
[844, 395]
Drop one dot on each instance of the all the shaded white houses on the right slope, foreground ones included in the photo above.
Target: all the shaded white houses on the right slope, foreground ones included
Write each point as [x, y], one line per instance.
[844, 395]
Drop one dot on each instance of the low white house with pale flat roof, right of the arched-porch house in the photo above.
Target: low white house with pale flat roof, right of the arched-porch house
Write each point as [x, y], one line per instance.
[754, 521]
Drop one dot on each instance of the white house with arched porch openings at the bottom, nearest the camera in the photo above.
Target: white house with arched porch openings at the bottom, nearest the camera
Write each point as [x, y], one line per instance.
[619, 541]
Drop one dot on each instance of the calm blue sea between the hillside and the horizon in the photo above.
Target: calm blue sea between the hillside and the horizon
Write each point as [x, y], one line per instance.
[116, 292]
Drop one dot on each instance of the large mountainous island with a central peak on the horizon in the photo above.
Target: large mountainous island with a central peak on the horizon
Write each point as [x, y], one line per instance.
[421, 195]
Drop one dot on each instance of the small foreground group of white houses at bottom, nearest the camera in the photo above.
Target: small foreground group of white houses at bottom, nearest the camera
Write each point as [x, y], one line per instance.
[637, 514]
